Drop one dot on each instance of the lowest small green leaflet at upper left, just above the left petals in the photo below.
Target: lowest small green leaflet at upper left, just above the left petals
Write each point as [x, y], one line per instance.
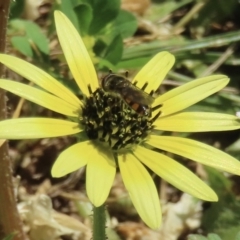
[22, 45]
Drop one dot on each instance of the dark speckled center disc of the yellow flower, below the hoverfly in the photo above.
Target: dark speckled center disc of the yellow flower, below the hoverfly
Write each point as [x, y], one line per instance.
[109, 119]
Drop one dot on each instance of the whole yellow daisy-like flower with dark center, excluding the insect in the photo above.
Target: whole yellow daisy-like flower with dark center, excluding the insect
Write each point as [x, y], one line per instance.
[117, 134]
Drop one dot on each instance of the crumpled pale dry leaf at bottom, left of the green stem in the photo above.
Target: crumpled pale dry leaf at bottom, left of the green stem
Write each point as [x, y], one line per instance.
[45, 223]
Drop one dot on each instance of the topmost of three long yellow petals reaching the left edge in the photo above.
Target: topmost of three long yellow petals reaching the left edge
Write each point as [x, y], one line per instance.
[40, 78]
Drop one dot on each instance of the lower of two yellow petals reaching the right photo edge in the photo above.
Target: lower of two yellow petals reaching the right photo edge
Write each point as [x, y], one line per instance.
[196, 151]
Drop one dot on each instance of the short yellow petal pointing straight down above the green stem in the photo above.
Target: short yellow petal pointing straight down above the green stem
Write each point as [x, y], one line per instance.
[101, 170]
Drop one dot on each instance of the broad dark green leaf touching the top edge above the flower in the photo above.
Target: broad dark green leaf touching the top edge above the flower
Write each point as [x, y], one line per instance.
[103, 13]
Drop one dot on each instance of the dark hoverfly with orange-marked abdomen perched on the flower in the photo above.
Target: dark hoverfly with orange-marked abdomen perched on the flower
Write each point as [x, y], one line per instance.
[133, 96]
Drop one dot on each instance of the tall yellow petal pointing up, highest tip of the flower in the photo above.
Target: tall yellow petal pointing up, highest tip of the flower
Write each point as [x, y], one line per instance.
[76, 54]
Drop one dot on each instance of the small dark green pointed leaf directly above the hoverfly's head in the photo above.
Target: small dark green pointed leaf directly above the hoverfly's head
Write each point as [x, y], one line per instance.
[115, 50]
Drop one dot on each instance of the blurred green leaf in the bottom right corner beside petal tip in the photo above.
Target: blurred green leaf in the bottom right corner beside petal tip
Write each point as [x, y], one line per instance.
[222, 217]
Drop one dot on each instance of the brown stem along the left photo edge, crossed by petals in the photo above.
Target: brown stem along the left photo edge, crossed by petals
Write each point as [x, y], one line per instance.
[10, 223]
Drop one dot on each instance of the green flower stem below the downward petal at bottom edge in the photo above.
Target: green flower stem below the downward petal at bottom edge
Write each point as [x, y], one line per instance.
[99, 223]
